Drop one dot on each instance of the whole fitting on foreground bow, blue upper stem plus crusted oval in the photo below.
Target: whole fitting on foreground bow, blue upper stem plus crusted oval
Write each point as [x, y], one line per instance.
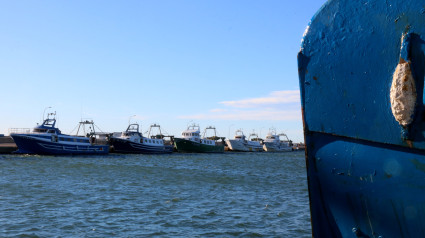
[403, 88]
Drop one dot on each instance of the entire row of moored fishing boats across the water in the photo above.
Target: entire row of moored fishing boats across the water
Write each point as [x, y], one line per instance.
[48, 139]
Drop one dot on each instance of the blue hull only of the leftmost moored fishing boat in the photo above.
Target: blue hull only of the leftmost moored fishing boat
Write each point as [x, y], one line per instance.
[30, 145]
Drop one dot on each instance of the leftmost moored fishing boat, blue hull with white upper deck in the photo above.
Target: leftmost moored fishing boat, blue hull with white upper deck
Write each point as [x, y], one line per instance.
[48, 139]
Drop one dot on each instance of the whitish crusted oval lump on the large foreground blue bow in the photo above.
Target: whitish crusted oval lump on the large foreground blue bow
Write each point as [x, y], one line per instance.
[403, 94]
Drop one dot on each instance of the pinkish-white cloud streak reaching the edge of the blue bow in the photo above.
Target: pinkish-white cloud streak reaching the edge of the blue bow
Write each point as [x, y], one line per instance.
[274, 98]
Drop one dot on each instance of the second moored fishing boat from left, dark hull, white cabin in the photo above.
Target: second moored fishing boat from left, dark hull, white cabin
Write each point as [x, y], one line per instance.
[132, 141]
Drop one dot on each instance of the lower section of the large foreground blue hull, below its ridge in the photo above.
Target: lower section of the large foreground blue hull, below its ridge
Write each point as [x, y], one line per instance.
[365, 188]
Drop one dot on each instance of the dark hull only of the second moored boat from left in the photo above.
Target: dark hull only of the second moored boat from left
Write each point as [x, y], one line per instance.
[128, 147]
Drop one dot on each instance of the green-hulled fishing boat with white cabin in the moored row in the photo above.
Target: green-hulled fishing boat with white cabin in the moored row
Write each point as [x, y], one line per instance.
[191, 141]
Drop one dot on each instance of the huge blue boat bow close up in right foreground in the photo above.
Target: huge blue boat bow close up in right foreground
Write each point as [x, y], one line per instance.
[361, 70]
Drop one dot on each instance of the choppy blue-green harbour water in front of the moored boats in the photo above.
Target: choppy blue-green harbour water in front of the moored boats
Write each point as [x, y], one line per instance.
[184, 195]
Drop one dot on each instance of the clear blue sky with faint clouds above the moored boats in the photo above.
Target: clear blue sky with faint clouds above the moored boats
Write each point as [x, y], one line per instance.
[231, 64]
